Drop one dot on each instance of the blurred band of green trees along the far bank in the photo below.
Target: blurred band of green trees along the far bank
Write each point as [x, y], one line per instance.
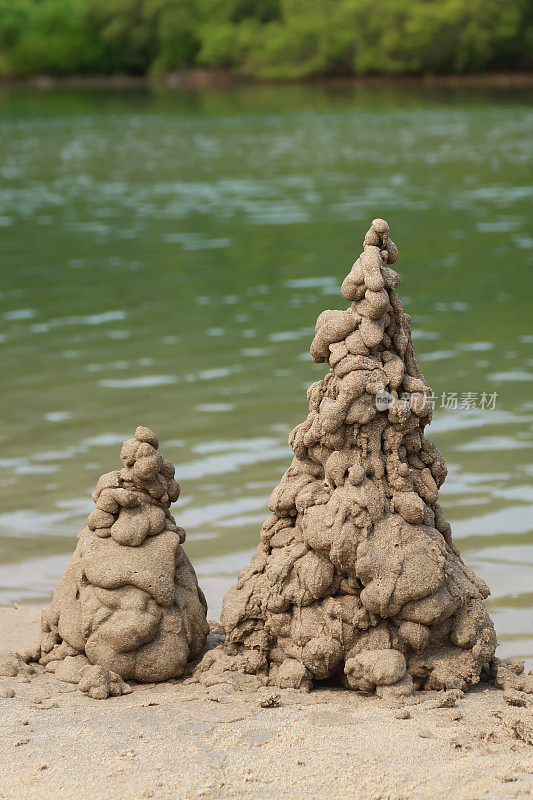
[276, 39]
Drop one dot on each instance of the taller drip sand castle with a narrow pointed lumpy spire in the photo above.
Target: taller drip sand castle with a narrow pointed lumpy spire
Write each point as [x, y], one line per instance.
[356, 576]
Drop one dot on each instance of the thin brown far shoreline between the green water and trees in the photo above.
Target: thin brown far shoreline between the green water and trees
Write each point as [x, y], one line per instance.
[225, 79]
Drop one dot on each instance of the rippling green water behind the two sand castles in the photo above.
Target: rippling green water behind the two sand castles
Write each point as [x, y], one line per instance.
[164, 257]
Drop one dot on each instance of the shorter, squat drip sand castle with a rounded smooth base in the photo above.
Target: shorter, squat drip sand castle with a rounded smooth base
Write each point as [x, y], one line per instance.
[128, 604]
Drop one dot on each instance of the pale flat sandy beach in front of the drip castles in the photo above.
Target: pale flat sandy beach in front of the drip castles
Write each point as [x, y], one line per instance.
[179, 740]
